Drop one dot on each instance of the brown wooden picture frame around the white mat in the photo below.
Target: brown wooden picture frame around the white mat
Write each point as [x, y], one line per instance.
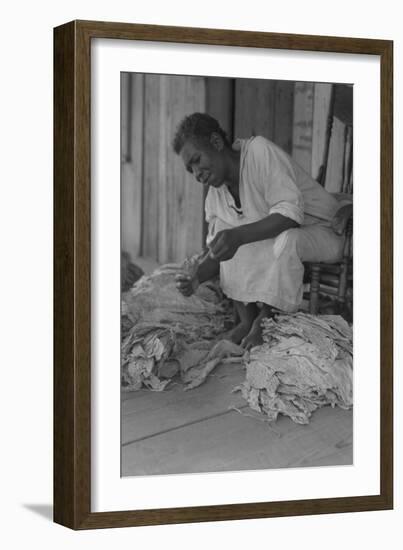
[72, 270]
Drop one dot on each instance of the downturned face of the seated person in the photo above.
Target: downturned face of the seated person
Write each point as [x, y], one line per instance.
[205, 162]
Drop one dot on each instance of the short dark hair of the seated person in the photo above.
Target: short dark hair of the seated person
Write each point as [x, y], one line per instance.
[197, 127]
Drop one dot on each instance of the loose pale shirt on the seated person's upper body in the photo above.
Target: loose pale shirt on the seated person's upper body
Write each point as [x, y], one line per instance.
[270, 182]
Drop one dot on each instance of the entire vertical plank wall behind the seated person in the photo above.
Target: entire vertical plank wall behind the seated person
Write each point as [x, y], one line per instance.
[162, 205]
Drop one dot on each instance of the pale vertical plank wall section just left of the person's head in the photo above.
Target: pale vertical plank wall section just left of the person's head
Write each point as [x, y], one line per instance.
[172, 199]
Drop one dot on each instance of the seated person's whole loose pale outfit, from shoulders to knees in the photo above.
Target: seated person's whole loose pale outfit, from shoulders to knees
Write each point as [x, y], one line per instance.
[271, 270]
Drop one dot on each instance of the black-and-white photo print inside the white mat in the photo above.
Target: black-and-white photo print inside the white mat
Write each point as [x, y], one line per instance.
[236, 274]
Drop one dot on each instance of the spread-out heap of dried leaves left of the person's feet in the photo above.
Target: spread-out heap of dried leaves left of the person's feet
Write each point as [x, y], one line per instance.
[165, 334]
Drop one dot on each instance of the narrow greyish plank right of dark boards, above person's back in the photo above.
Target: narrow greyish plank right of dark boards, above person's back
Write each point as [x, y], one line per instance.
[302, 130]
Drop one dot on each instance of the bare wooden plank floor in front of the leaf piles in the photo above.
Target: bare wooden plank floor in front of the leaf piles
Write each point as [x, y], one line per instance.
[199, 431]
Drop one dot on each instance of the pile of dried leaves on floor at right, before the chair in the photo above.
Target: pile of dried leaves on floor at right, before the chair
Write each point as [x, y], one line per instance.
[304, 363]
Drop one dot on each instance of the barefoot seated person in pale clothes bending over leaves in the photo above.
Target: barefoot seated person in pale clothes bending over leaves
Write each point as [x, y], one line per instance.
[266, 216]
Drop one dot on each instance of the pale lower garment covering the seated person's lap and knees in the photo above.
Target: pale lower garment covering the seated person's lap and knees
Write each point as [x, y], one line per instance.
[271, 271]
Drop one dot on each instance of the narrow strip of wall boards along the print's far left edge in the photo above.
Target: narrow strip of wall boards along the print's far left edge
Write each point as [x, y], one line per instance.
[132, 109]
